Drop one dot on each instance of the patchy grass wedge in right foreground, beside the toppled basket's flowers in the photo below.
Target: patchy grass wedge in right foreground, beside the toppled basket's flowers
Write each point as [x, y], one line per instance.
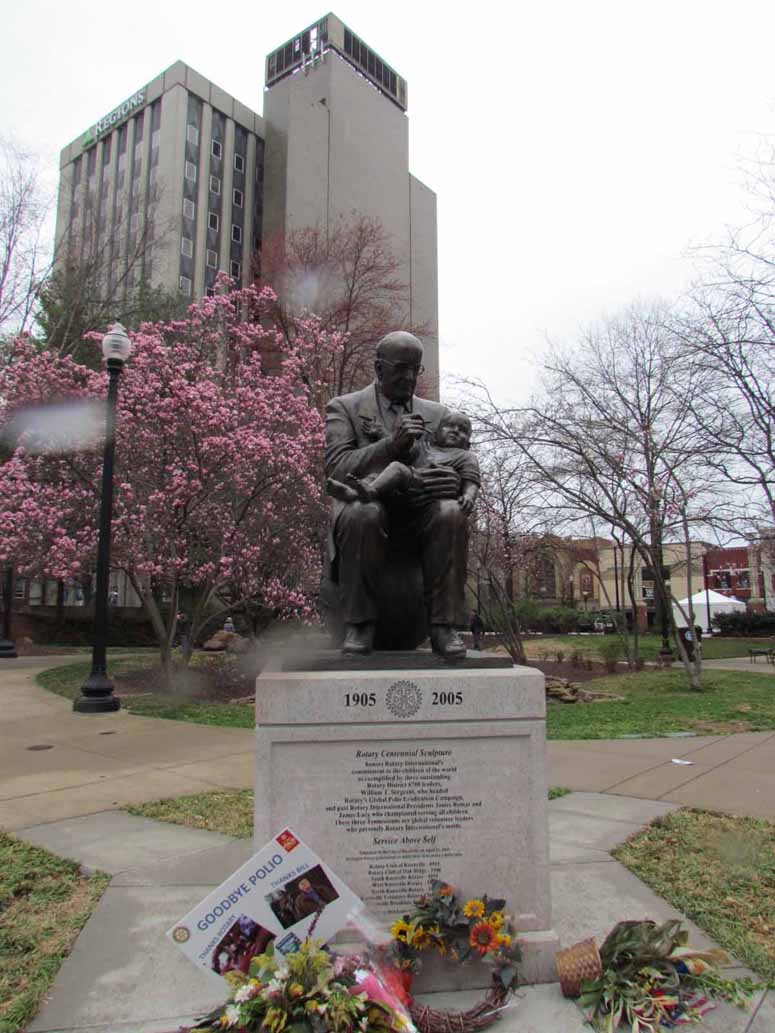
[720, 871]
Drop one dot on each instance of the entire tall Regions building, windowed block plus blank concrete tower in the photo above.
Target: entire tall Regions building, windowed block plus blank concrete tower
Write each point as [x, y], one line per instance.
[182, 181]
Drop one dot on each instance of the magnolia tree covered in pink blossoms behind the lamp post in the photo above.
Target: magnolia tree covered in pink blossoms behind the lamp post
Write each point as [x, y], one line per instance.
[219, 466]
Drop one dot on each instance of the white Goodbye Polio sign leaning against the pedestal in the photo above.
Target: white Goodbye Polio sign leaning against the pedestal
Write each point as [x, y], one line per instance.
[274, 898]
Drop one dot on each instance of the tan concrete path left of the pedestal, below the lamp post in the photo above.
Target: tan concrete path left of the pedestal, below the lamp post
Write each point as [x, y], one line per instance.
[56, 764]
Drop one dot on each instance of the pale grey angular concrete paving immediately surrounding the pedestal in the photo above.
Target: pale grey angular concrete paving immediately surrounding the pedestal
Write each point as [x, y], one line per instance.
[126, 977]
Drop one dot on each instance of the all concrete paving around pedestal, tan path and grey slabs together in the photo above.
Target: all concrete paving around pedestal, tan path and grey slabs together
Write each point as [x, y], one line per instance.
[65, 776]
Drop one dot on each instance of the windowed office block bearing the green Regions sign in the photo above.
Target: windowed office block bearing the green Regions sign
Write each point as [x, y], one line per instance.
[167, 189]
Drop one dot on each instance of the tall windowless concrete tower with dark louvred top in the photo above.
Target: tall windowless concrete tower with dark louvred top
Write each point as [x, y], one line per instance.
[337, 142]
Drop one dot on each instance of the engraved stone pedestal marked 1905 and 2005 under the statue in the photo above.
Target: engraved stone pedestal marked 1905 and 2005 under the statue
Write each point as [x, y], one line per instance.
[399, 777]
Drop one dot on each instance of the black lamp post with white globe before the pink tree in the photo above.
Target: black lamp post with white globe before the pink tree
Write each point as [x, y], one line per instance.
[97, 693]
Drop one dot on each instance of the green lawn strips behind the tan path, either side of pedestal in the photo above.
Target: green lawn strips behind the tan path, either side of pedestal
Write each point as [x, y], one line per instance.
[655, 704]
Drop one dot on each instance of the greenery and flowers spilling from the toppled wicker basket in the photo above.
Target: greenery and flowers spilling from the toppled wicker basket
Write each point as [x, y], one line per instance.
[653, 979]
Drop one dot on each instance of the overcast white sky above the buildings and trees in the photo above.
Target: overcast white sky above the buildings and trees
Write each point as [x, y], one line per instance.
[577, 147]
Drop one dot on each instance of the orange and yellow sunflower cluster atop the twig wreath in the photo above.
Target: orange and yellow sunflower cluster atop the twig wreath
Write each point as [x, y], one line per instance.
[477, 930]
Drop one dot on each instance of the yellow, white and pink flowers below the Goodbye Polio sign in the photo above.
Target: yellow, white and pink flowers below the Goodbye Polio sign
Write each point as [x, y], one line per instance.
[309, 991]
